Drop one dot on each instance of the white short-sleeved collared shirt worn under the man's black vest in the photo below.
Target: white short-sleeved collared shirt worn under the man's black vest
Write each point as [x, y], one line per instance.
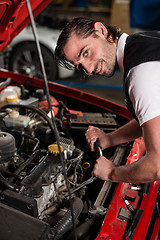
[144, 86]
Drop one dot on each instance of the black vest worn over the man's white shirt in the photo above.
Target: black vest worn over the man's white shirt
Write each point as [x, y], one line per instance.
[139, 48]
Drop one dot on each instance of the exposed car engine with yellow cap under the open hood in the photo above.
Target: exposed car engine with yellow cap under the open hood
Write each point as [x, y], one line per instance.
[32, 177]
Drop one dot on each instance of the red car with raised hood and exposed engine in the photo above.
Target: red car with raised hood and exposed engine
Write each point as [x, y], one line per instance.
[46, 188]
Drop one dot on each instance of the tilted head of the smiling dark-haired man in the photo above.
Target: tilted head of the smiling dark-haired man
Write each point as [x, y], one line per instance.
[88, 45]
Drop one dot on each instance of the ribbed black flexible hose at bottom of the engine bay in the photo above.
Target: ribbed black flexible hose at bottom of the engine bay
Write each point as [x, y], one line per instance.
[65, 224]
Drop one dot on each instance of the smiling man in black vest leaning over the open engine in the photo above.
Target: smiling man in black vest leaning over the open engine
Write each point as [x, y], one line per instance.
[99, 49]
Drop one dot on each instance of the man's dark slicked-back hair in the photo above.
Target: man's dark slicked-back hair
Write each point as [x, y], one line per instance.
[83, 27]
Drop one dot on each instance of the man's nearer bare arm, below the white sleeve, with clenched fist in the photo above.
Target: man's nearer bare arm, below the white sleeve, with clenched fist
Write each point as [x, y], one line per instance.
[146, 169]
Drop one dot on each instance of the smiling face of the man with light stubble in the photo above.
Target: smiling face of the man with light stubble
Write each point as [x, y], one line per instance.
[94, 55]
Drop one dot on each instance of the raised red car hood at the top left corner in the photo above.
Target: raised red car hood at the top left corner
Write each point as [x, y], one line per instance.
[14, 17]
